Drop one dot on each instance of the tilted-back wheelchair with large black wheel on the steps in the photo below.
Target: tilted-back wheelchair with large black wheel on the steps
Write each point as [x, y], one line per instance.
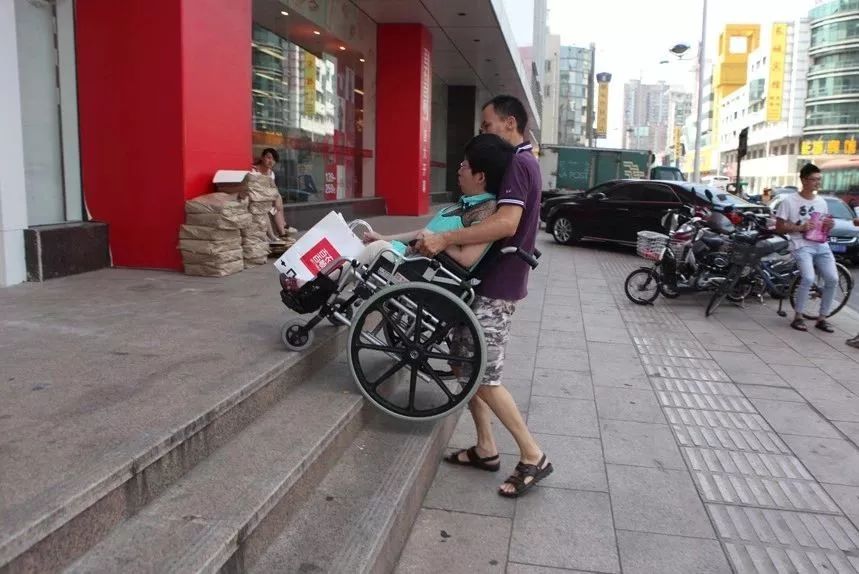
[415, 348]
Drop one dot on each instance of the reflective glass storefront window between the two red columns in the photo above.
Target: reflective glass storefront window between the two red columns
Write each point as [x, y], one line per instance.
[309, 107]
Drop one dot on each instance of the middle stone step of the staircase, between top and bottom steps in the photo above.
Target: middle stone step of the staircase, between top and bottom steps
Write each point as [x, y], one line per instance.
[225, 509]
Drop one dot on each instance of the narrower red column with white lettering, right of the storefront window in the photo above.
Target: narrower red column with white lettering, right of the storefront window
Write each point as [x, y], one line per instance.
[404, 104]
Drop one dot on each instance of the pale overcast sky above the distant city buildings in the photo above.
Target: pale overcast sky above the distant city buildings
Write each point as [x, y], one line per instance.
[632, 36]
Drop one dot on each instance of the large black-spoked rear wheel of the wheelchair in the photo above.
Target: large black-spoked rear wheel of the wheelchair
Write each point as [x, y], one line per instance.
[401, 374]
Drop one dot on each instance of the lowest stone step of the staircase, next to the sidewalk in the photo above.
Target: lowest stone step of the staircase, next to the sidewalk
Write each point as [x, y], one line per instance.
[358, 518]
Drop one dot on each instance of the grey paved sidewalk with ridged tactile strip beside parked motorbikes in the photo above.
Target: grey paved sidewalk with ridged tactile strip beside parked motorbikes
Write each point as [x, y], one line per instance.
[681, 444]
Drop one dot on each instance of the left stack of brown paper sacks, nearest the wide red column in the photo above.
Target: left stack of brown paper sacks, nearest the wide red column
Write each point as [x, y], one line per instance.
[211, 239]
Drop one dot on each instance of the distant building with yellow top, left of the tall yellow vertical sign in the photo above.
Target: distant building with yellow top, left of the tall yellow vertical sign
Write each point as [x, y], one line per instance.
[736, 42]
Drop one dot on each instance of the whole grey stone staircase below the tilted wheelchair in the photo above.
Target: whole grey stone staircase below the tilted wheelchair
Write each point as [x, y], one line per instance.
[292, 473]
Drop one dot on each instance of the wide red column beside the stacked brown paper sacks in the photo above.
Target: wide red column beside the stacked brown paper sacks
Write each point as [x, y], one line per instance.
[164, 99]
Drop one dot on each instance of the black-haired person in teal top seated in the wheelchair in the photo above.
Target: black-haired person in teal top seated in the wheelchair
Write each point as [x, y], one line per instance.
[487, 157]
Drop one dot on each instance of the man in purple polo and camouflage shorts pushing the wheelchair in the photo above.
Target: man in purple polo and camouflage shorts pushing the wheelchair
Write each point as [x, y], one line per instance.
[515, 223]
